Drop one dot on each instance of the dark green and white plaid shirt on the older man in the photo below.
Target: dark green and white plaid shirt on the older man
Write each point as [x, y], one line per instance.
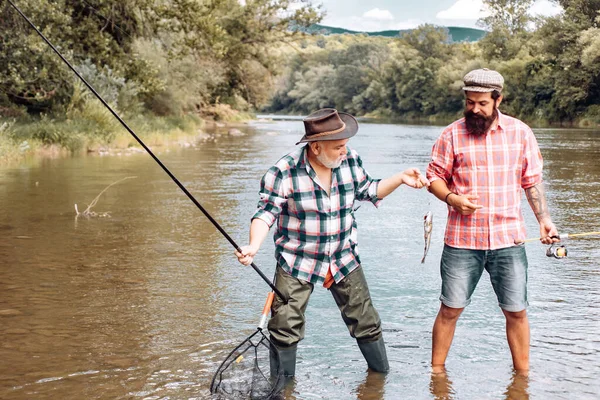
[315, 231]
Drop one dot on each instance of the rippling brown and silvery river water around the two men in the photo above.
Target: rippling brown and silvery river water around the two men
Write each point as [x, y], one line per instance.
[146, 303]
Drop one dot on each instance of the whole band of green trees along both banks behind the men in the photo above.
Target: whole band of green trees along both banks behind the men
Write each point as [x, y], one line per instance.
[216, 57]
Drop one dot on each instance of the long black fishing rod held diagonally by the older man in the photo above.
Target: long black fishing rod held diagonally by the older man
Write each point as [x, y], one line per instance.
[177, 182]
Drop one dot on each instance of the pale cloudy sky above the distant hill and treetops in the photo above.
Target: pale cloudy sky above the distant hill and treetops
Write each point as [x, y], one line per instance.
[378, 15]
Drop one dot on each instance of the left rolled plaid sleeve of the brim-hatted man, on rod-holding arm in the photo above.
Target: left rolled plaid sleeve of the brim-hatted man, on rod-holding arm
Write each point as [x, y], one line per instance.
[272, 197]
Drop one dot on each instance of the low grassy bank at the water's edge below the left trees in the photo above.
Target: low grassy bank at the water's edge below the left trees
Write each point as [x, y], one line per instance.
[49, 138]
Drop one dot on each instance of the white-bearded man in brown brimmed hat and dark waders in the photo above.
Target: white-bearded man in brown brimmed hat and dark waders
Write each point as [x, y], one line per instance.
[309, 194]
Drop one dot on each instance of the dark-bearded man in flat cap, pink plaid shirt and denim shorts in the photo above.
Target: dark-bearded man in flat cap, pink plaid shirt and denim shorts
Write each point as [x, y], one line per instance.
[478, 167]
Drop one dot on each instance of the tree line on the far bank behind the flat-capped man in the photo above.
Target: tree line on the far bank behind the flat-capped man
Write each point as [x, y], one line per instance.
[551, 68]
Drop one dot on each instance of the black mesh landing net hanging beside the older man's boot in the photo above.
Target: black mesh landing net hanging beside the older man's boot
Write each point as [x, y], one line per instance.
[246, 373]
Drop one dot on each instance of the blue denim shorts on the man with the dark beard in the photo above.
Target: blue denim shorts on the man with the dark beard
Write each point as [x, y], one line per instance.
[461, 270]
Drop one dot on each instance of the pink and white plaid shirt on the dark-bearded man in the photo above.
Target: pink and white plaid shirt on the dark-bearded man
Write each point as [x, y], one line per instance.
[495, 167]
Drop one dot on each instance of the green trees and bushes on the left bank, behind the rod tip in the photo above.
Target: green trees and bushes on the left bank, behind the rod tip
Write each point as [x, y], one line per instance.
[219, 51]
